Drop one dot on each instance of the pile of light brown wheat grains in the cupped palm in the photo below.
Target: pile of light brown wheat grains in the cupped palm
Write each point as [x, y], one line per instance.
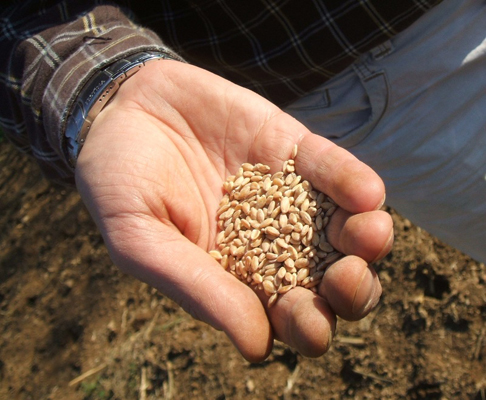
[272, 229]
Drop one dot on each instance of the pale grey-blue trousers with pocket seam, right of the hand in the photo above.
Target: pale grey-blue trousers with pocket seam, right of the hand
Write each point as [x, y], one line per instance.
[414, 109]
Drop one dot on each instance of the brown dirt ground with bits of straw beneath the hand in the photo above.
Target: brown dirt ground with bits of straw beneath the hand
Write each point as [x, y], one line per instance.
[73, 327]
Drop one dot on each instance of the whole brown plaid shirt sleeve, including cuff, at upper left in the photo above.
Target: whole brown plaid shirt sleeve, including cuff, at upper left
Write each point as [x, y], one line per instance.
[49, 50]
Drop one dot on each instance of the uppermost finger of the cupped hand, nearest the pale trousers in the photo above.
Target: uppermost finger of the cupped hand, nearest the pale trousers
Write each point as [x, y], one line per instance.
[352, 184]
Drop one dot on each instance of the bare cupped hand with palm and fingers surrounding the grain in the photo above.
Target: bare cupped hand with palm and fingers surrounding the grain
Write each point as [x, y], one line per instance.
[151, 174]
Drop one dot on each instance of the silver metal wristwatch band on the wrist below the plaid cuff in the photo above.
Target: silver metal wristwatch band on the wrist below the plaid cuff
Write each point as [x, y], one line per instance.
[95, 95]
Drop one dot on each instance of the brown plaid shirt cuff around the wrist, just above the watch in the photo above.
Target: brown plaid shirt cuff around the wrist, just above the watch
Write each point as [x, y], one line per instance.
[114, 39]
